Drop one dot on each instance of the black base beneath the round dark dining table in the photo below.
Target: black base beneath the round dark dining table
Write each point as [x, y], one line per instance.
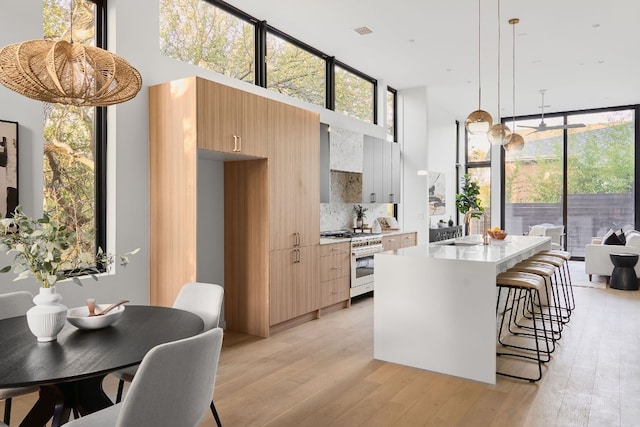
[82, 397]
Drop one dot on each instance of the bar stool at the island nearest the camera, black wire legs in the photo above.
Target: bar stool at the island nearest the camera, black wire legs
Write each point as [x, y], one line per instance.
[521, 286]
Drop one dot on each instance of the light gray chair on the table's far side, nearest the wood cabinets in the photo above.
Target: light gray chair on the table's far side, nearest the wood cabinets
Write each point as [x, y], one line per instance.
[203, 299]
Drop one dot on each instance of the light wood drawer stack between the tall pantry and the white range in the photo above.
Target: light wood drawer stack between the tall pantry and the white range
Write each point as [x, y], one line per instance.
[335, 273]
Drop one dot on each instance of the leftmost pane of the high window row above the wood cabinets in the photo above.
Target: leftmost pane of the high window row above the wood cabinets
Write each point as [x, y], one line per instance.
[202, 34]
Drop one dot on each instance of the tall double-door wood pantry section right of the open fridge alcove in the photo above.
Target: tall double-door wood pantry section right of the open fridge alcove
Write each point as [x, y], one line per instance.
[294, 194]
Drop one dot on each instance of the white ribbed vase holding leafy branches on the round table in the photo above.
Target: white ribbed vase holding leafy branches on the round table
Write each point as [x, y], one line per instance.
[46, 319]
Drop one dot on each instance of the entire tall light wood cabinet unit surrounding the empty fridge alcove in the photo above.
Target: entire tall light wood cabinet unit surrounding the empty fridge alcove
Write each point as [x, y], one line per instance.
[271, 196]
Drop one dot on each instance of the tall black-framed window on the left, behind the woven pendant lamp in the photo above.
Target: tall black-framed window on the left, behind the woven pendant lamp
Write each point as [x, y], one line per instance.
[74, 140]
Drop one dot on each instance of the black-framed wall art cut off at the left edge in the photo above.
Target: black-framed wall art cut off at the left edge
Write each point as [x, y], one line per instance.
[8, 167]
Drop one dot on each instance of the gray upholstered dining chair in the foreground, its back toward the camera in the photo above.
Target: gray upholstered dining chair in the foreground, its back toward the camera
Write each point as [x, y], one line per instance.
[172, 387]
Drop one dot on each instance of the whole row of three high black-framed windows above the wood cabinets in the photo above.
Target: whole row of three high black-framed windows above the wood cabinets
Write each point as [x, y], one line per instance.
[215, 35]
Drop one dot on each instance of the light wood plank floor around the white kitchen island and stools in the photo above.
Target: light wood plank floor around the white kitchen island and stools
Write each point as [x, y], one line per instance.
[322, 374]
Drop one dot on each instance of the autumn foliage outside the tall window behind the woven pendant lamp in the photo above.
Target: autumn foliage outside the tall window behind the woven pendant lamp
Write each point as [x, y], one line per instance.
[69, 141]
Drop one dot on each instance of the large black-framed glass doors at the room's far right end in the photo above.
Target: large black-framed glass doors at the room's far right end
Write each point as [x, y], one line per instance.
[579, 177]
